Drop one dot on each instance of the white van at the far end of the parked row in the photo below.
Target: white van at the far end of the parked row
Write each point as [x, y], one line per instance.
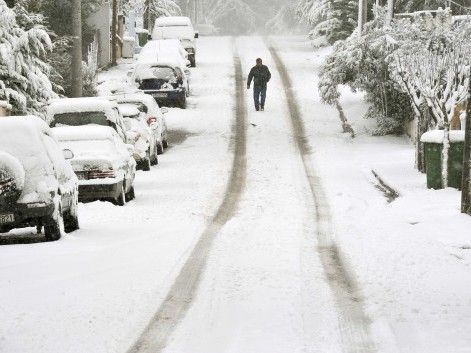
[177, 27]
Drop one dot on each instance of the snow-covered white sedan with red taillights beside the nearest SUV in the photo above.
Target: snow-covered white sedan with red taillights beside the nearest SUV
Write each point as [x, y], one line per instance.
[102, 162]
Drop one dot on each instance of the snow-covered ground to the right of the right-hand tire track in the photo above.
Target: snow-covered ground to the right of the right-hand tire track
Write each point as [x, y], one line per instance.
[411, 257]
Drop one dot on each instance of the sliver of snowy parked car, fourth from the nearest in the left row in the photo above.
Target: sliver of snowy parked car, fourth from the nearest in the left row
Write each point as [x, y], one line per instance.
[140, 136]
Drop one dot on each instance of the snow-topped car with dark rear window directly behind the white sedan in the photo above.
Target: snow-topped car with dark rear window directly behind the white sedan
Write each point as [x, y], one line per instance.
[86, 111]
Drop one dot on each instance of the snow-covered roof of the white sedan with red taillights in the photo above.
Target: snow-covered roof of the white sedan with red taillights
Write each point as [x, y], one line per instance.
[83, 133]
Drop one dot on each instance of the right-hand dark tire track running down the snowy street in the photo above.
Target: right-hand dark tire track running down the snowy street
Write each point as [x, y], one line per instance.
[353, 322]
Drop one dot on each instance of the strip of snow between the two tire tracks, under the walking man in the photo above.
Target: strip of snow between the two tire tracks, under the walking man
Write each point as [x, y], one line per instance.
[264, 289]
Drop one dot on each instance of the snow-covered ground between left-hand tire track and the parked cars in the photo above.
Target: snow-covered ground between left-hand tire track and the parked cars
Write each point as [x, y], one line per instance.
[96, 289]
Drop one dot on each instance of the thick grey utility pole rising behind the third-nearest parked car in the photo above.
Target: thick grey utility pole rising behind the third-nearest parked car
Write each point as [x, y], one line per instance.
[76, 65]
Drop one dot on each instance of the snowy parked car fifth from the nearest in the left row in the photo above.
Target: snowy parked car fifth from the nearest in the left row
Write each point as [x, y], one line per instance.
[153, 116]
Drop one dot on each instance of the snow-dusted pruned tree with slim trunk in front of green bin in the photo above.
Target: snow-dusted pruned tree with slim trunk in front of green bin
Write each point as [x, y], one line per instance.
[435, 71]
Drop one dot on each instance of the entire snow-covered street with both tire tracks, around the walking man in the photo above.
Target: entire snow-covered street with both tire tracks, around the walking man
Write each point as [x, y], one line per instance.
[229, 246]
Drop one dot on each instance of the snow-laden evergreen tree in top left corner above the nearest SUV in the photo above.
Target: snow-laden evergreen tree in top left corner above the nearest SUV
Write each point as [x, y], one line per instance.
[24, 70]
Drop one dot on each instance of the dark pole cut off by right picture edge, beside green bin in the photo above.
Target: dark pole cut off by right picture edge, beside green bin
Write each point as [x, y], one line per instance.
[466, 182]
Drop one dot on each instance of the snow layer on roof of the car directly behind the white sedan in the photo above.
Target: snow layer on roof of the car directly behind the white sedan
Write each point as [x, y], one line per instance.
[76, 105]
